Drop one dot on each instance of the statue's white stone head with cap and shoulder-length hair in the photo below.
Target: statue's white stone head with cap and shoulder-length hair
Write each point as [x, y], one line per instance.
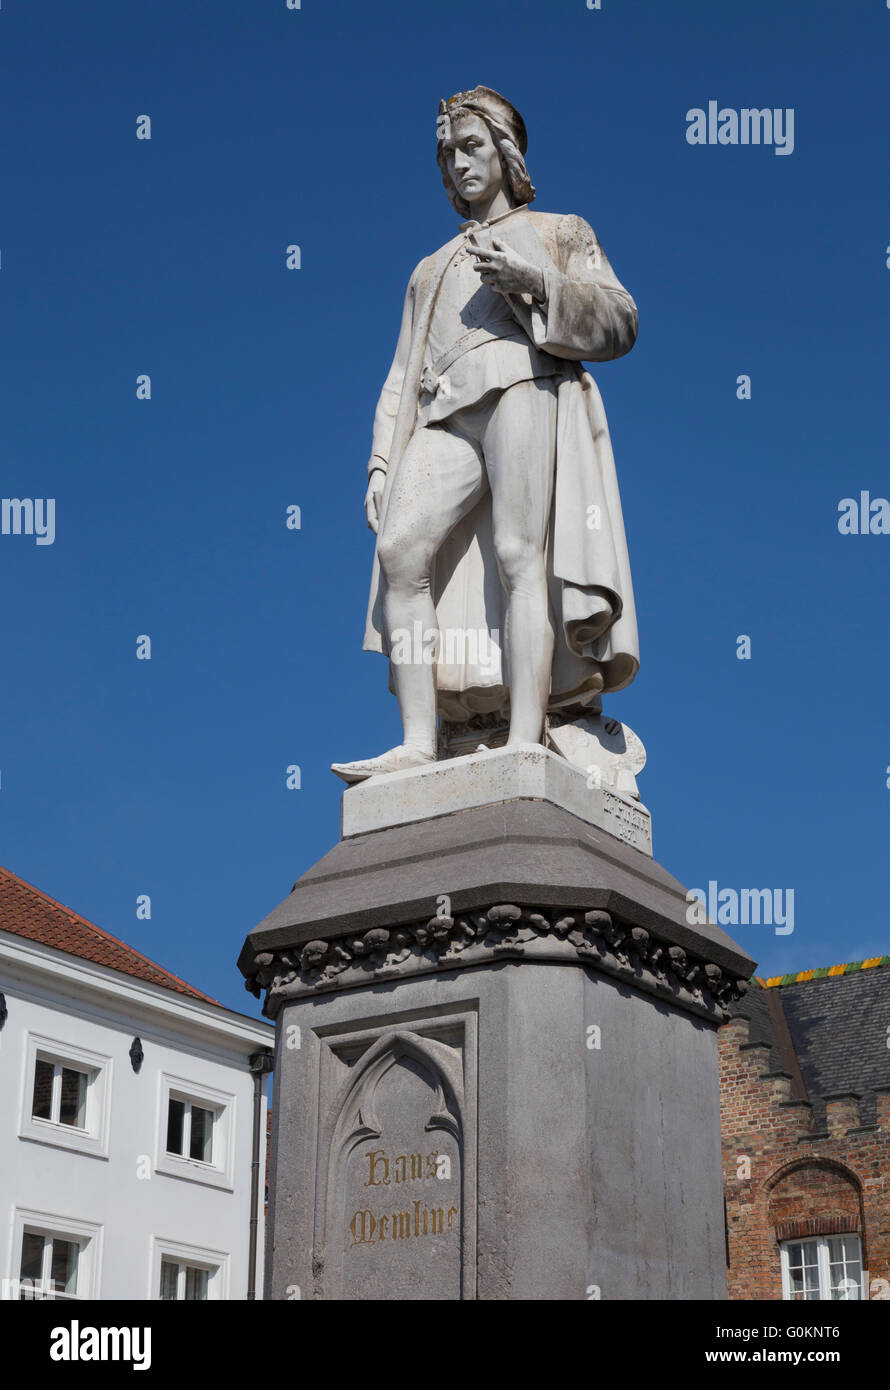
[480, 147]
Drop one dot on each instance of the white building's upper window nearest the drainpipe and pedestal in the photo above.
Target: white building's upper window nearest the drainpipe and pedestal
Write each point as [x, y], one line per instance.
[195, 1134]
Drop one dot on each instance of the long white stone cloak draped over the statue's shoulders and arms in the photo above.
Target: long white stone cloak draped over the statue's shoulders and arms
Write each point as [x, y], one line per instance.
[586, 315]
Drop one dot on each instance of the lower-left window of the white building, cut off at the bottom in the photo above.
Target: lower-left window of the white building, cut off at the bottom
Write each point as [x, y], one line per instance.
[56, 1257]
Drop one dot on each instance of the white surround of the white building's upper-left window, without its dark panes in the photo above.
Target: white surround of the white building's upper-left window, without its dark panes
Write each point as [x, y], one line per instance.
[98, 1067]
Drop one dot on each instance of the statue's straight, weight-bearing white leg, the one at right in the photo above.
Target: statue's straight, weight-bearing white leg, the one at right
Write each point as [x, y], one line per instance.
[519, 448]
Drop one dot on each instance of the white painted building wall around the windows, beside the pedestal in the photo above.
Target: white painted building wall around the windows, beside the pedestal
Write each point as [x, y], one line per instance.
[127, 1195]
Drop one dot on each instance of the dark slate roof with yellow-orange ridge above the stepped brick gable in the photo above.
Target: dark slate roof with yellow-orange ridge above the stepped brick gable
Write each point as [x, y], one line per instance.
[836, 1021]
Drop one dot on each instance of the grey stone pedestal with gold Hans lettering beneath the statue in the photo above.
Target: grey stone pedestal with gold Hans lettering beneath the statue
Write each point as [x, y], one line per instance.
[496, 1071]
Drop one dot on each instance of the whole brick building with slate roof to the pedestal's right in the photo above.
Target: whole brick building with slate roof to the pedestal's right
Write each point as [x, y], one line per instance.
[806, 1118]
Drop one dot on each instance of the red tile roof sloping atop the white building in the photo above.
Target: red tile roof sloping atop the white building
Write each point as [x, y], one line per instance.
[27, 913]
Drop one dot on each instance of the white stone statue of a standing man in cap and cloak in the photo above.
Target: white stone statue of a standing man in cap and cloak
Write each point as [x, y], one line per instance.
[501, 582]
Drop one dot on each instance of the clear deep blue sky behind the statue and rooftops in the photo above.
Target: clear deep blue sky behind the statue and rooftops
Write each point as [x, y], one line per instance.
[270, 127]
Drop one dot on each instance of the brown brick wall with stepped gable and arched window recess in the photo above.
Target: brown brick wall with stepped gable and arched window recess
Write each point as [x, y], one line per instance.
[784, 1181]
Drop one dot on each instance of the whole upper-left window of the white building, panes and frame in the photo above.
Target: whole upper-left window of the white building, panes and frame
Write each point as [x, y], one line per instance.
[67, 1097]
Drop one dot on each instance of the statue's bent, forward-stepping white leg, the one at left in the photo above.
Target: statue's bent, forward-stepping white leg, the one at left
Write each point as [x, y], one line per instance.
[440, 479]
